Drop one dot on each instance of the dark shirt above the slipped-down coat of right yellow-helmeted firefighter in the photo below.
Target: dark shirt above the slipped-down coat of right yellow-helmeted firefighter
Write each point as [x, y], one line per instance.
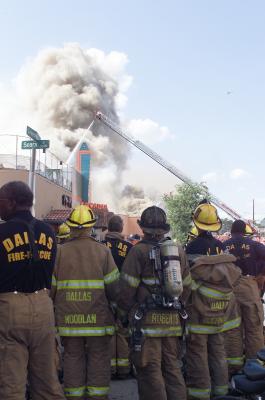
[205, 244]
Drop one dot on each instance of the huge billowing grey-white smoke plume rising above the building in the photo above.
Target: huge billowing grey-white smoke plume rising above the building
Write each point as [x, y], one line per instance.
[58, 93]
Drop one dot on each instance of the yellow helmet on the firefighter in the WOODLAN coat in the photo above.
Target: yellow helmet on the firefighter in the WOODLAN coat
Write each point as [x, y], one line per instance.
[81, 217]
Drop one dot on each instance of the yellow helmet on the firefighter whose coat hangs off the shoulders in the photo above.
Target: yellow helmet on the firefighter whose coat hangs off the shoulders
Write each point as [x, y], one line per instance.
[205, 217]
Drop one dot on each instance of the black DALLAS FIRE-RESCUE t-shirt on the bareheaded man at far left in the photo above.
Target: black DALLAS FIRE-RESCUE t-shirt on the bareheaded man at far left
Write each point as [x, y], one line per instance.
[18, 270]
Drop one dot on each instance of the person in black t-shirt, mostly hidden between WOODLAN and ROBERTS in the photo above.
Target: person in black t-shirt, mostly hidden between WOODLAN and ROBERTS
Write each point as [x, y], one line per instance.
[120, 364]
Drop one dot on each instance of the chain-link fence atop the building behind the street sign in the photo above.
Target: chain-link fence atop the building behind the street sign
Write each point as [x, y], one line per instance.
[47, 164]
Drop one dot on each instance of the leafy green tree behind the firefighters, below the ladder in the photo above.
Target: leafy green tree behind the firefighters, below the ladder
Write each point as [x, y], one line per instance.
[180, 206]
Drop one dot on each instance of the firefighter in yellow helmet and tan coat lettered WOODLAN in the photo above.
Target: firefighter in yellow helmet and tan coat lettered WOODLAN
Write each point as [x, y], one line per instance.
[85, 282]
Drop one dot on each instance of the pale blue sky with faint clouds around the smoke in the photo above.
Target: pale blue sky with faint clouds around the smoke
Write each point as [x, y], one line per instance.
[196, 68]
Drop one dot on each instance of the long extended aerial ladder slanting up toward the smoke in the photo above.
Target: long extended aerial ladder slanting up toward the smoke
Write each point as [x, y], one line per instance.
[165, 164]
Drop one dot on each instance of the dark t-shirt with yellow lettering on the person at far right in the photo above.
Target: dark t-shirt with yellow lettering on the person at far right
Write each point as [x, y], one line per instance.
[250, 255]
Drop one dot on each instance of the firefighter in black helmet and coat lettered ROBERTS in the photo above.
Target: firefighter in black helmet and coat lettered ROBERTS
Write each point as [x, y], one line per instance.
[154, 321]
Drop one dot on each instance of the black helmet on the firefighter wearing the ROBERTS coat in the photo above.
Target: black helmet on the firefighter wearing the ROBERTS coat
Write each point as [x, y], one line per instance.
[154, 221]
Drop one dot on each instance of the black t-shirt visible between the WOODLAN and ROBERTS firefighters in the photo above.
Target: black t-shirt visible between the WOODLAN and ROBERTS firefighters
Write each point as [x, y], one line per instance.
[118, 247]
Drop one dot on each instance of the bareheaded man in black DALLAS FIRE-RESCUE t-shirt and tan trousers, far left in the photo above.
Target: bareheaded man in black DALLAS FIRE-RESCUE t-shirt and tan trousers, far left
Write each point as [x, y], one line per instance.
[27, 337]
